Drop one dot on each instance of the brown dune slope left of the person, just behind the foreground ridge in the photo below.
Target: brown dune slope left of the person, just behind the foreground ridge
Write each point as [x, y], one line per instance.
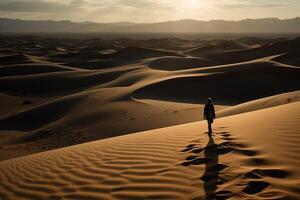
[85, 113]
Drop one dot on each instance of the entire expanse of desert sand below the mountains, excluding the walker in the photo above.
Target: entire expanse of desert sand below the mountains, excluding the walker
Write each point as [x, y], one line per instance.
[122, 118]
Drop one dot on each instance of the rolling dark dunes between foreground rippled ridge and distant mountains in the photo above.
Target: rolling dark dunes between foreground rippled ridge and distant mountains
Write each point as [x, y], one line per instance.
[56, 92]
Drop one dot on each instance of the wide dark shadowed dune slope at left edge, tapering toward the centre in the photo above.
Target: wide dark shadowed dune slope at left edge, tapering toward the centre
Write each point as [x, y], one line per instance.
[58, 83]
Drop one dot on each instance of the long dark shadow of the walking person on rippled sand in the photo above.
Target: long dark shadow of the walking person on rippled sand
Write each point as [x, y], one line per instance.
[211, 173]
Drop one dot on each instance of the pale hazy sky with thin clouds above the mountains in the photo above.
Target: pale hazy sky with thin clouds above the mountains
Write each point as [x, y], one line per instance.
[147, 10]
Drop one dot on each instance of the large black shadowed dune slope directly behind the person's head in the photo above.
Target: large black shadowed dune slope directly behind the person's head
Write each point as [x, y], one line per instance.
[231, 85]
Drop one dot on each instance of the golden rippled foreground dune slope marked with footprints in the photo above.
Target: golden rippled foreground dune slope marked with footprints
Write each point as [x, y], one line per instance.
[178, 162]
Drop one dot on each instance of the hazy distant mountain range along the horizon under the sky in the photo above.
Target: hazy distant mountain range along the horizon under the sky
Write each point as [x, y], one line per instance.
[266, 25]
